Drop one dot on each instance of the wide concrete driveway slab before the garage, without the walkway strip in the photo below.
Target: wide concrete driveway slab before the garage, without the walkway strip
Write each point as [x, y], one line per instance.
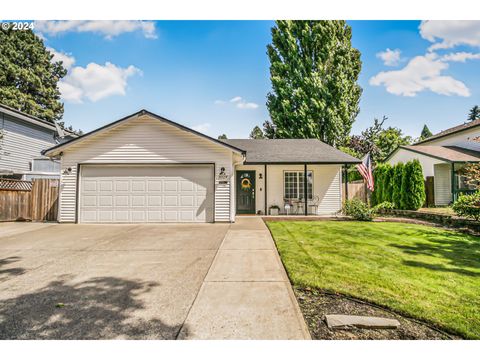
[115, 281]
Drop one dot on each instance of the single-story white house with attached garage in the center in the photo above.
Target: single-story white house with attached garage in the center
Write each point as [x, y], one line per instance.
[145, 168]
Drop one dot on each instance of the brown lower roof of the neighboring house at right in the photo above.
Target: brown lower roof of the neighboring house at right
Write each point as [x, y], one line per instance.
[446, 153]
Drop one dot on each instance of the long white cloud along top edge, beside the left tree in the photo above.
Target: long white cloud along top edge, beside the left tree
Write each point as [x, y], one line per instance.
[107, 28]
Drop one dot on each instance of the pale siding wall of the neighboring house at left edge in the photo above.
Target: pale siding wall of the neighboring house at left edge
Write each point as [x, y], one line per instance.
[20, 142]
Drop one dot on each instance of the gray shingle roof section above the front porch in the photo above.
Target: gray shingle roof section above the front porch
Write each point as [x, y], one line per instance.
[290, 151]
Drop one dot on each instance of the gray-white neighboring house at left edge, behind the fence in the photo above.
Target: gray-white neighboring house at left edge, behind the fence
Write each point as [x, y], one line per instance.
[22, 138]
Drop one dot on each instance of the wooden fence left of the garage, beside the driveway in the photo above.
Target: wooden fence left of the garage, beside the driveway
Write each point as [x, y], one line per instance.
[35, 200]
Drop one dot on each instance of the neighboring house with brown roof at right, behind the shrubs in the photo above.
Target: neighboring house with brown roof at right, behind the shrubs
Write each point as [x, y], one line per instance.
[442, 156]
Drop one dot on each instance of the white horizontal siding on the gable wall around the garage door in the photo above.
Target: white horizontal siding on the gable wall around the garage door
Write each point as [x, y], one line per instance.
[144, 140]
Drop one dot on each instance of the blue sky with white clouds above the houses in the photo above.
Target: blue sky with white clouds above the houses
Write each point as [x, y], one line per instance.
[213, 75]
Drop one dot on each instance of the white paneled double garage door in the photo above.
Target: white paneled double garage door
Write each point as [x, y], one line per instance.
[153, 193]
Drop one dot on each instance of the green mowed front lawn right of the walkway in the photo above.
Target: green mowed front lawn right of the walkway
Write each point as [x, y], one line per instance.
[425, 272]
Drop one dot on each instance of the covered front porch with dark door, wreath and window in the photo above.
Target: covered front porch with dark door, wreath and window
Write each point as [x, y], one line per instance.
[290, 189]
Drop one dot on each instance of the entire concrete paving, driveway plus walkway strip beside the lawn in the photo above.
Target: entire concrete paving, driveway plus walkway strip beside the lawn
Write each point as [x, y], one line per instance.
[60, 281]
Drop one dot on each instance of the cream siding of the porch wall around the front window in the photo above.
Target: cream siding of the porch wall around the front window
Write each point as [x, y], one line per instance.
[327, 186]
